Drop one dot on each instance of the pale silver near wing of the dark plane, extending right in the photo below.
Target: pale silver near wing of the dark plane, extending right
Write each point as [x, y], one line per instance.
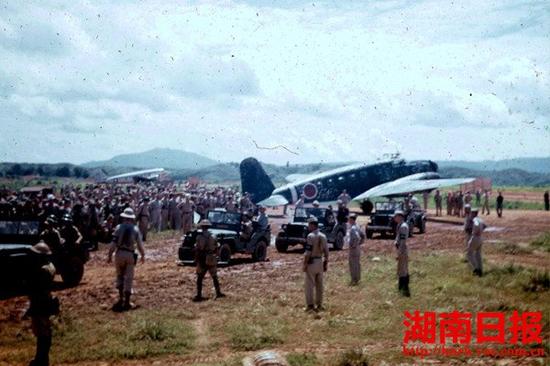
[404, 186]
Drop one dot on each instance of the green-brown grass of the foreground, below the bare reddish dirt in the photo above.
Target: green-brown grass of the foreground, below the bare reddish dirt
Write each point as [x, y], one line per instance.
[366, 316]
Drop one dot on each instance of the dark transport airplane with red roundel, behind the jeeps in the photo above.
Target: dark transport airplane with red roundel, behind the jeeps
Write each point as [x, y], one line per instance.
[361, 181]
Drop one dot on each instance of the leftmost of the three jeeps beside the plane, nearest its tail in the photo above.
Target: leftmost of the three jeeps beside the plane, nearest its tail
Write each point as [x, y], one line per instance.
[227, 228]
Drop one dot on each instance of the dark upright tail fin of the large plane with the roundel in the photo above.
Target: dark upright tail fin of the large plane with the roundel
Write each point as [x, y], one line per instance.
[255, 180]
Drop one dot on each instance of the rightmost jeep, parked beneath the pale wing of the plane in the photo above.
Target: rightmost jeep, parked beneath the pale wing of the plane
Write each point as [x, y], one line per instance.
[382, 222]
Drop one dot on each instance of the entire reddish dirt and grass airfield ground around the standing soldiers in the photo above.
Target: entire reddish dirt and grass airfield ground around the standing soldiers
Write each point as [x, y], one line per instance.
[264, 307]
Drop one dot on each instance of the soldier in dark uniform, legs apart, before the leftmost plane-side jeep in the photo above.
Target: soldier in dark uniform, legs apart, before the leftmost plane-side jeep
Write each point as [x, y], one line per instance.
[207, 261]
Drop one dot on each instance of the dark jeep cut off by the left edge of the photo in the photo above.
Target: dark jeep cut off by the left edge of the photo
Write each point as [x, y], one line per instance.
[16, 258]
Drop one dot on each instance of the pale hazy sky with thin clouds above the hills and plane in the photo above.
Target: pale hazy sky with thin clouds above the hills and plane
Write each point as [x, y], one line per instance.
[330, 81]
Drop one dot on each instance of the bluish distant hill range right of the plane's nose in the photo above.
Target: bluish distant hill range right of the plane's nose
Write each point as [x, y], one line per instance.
[534, 165]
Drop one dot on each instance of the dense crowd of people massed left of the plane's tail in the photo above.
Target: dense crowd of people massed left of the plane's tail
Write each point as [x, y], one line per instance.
[96, 209]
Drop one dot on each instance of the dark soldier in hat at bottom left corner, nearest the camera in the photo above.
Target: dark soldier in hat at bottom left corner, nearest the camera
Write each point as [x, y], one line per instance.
[42, 304]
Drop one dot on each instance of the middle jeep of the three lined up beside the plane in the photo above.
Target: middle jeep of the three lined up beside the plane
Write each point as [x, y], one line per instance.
[295, 232]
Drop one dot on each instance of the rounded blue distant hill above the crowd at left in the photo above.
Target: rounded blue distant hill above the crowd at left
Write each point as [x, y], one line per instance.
[156, 158]
